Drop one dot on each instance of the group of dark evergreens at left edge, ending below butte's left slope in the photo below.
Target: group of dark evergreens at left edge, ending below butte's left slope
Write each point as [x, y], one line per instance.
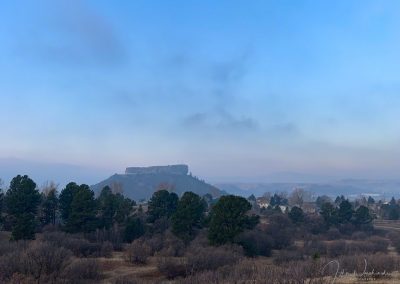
[25, 210]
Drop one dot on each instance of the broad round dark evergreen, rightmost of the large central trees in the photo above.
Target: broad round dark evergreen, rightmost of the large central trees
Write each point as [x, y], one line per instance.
[229, 219]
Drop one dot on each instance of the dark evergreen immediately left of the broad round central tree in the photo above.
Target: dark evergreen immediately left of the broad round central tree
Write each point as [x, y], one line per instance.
[188, 216]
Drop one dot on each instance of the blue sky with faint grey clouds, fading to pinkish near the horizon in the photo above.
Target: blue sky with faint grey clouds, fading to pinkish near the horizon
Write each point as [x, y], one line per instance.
[235, 89]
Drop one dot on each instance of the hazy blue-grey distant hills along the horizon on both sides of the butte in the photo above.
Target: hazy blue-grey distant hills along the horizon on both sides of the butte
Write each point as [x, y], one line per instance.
[61, 174]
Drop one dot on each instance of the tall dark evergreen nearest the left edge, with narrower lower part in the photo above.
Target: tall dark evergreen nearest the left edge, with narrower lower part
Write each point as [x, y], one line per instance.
[22, 200]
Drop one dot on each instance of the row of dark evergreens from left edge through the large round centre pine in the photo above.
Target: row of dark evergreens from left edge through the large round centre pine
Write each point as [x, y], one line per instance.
[25, 210]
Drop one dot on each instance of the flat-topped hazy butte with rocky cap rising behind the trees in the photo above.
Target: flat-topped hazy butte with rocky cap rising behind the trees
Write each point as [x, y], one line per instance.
[140, 183]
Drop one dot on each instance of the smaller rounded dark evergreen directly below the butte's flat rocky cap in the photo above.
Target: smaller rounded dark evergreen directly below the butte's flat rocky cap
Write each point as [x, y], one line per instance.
[162, 204]
